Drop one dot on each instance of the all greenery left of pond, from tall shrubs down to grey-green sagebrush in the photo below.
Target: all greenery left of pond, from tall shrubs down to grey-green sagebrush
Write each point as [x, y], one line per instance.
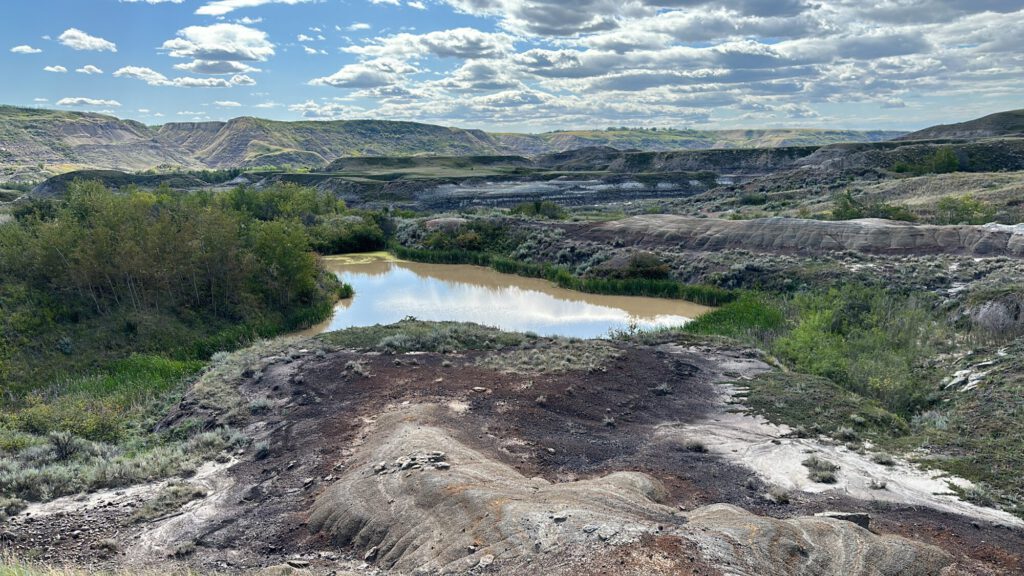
[113, 303]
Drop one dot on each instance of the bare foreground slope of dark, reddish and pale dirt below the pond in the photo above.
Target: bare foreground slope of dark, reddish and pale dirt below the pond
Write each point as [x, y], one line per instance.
[539, 458]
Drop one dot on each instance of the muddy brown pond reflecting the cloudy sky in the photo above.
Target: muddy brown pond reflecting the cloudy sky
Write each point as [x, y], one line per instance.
[389, 291]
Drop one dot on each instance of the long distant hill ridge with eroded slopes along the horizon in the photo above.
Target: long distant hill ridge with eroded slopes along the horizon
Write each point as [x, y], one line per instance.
[35, 144]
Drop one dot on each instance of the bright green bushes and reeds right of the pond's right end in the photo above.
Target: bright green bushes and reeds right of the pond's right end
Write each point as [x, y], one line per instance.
[866, 340]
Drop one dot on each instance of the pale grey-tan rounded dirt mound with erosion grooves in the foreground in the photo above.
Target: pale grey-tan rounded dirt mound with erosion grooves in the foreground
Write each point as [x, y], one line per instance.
[432, 505]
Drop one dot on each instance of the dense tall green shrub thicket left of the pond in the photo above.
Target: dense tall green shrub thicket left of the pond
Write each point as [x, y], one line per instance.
[99, 275]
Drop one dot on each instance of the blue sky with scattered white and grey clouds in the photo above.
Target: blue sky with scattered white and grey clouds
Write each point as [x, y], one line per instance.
[522, 65]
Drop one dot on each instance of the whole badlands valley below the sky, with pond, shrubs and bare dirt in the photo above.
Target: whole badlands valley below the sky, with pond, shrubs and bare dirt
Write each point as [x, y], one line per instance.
[417, 350]
